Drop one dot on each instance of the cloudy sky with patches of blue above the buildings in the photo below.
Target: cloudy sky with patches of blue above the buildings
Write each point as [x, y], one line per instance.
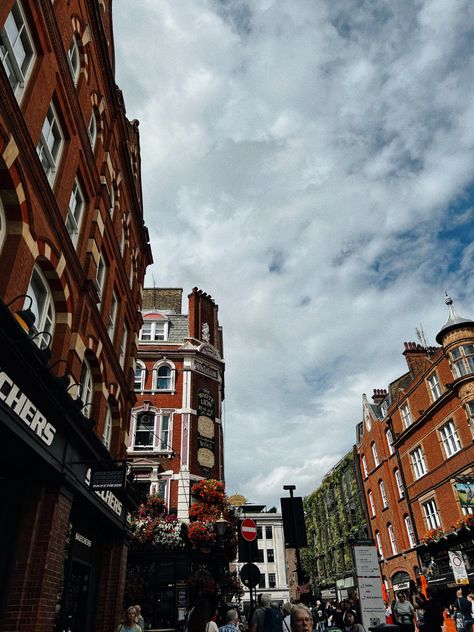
[309, 163]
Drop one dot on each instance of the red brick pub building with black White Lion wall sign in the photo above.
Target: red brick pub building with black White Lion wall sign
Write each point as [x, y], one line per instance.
[176, 425]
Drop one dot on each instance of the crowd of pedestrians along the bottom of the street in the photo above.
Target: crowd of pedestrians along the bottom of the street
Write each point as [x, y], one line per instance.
[411, 612]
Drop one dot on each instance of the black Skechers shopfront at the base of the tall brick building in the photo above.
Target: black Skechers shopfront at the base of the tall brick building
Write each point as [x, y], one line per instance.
[61, 541]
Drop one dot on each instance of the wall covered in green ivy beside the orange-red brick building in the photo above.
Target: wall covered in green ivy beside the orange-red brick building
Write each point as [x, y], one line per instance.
[335, 517]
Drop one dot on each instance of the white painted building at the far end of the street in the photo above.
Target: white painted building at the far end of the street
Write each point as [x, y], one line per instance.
[271, 546]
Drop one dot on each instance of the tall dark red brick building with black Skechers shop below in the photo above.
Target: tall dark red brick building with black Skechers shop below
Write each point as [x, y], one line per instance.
[72, 239]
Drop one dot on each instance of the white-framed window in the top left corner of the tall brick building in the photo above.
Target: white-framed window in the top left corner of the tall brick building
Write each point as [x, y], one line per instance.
[17, 51]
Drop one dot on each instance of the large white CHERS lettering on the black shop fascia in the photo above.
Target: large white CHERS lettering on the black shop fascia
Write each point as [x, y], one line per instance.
[19, 403]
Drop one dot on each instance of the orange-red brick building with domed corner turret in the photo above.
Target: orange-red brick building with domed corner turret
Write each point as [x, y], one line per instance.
[416, 453]
